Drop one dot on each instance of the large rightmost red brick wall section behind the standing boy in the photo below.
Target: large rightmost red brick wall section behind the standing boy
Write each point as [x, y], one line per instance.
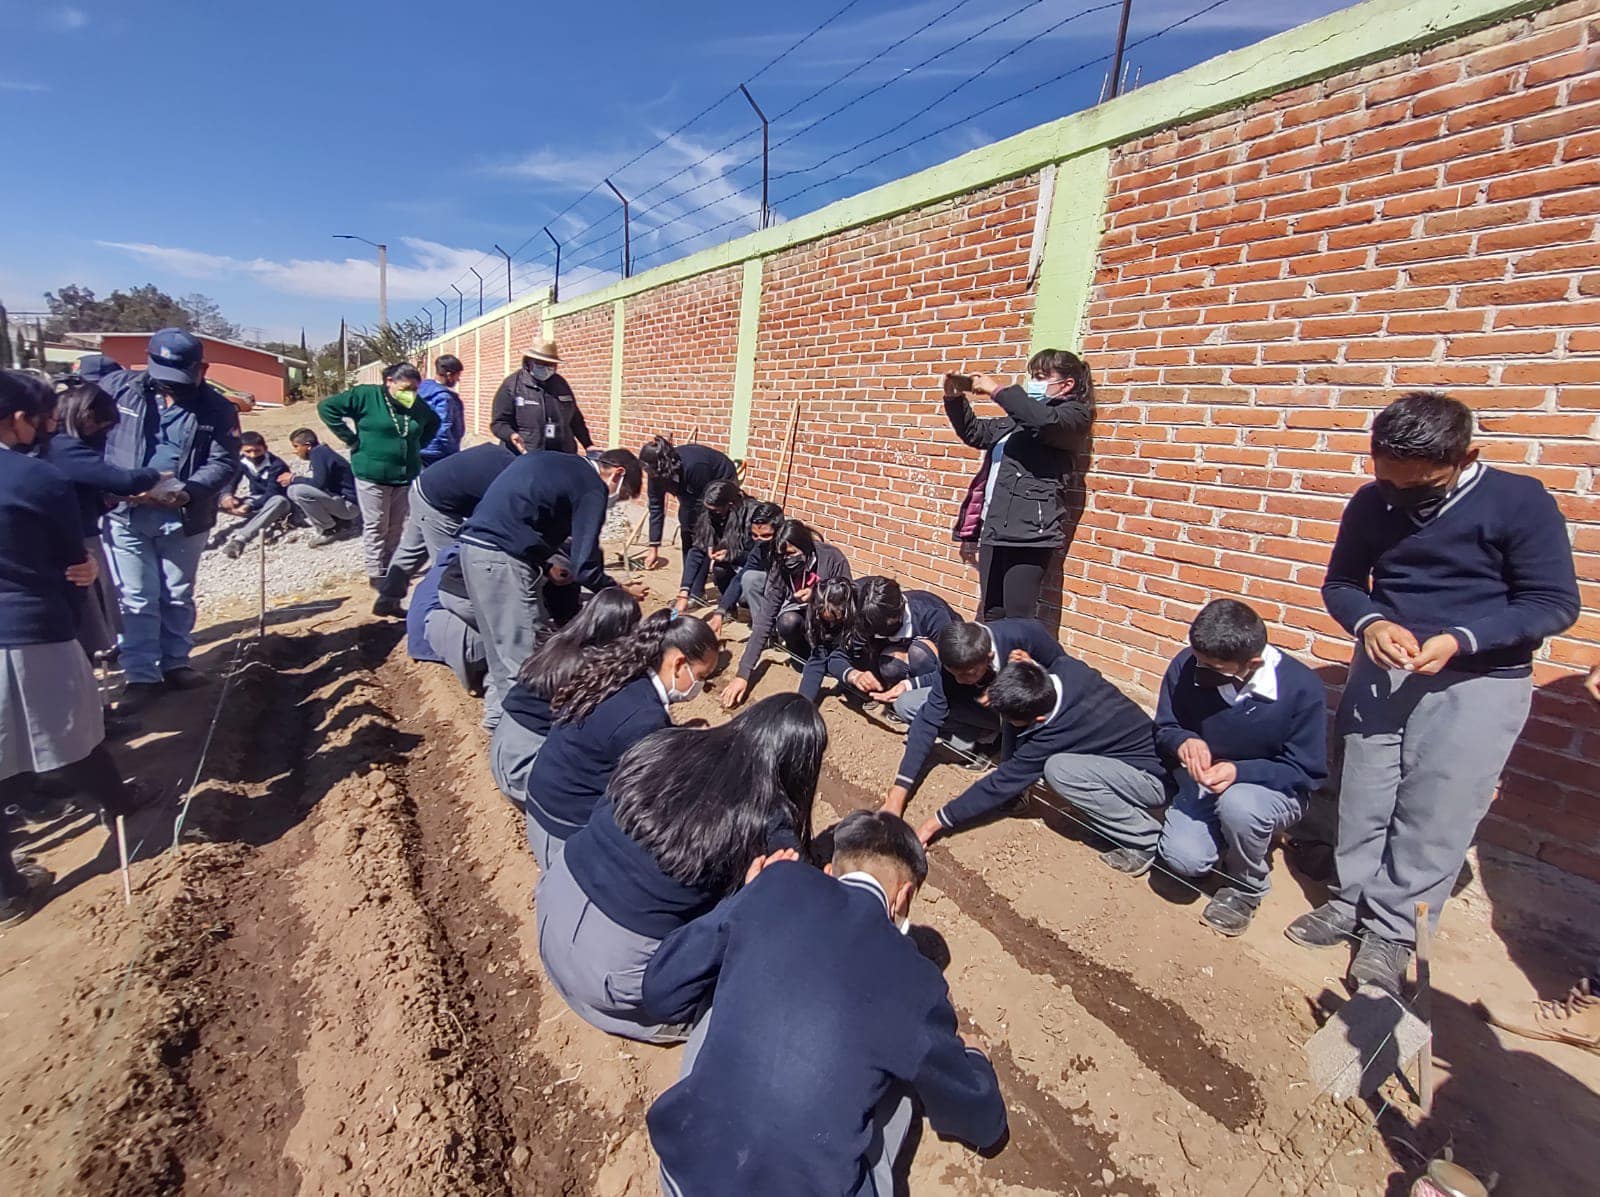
[1271, 278]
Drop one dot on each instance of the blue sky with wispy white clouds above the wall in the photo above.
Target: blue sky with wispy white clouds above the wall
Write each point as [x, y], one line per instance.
[218, 146]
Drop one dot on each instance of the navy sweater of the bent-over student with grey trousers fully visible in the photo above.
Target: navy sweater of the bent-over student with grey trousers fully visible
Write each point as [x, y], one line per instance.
[535, 505]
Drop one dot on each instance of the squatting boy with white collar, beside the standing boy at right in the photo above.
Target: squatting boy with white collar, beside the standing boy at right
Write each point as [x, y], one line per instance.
[1244, 731]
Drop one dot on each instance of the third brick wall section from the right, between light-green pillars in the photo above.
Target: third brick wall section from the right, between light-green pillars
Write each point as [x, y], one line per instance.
[679, 346]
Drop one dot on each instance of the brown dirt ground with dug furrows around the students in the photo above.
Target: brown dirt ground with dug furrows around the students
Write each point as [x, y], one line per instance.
[334, 987]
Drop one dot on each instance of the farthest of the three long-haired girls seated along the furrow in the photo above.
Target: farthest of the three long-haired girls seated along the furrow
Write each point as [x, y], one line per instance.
[556, 660]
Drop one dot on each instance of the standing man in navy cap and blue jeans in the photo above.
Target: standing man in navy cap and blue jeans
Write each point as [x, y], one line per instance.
[169, 422]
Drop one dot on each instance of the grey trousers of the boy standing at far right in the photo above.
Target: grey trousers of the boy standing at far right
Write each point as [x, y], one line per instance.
[1422, 761]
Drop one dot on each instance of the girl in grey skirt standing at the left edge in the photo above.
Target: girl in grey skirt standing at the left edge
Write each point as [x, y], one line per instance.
[52, 726]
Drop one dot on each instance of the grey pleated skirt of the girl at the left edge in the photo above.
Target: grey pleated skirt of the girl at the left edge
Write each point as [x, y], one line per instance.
[50, 708]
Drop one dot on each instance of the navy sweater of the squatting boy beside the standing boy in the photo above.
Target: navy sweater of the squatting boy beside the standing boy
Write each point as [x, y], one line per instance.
[1281, 743]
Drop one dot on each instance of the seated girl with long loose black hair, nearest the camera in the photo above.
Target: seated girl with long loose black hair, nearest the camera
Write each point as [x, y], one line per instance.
[682, 822]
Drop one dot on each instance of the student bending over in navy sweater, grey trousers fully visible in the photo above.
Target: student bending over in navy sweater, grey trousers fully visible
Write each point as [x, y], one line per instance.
[526, 516]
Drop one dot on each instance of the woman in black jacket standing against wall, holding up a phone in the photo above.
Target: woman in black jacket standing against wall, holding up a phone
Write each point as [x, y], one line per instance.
[1031, 460]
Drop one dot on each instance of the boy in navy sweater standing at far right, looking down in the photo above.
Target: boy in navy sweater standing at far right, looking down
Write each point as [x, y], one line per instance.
[1449, 575]
